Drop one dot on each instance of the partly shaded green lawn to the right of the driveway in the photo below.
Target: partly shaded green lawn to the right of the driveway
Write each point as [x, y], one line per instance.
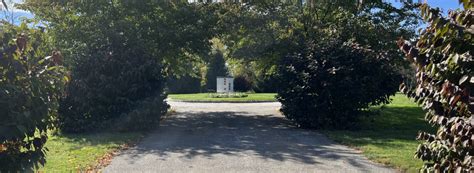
[389, 137]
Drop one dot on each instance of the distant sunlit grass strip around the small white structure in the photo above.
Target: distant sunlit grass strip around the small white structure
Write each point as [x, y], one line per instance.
[204, 97]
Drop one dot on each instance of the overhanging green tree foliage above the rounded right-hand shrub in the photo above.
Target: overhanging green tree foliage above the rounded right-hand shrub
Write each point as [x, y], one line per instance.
[270, 30]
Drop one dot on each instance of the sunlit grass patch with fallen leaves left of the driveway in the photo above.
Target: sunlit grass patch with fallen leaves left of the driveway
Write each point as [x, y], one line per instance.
[74, 153]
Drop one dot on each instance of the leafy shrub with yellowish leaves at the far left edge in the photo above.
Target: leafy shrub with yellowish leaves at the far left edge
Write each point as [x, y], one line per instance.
[30, 85]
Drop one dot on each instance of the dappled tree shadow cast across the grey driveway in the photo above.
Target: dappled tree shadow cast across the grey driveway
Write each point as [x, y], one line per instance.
[188, 135]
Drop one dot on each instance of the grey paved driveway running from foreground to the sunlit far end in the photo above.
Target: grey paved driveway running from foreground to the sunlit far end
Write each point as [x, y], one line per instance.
[237, 137]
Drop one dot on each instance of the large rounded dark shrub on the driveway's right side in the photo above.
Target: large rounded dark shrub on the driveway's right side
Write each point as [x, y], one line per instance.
[327, 85]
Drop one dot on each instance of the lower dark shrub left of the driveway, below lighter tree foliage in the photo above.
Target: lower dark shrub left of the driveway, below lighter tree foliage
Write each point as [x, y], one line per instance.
[104, 86]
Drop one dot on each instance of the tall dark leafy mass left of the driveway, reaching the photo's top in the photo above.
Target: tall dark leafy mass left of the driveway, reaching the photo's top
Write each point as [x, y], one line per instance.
[117, 76]
